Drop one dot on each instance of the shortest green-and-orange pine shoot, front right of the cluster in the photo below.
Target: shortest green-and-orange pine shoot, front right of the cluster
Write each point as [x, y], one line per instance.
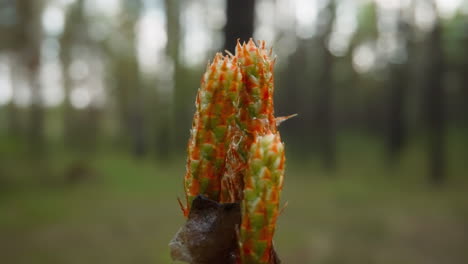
[263, 182]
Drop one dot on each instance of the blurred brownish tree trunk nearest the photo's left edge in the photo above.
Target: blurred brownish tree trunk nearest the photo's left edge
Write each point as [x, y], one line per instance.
[29, 13]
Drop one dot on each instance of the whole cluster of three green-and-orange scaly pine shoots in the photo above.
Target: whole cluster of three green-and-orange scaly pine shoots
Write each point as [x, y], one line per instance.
[235, 153]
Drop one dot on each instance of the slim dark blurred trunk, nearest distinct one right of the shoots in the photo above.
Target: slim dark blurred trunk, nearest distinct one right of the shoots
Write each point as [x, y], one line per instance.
[325, 108]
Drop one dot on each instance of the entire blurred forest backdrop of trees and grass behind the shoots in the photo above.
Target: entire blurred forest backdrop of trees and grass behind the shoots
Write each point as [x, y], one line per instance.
[97, 96]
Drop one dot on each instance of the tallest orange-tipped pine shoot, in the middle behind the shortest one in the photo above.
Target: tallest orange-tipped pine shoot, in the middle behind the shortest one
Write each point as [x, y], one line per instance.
[255, 114]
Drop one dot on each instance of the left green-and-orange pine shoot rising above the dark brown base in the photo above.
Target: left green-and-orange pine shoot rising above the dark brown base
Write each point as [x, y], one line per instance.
[216, 109]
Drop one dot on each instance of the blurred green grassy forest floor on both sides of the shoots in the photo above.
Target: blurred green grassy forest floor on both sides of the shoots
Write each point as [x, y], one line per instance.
[109, 208]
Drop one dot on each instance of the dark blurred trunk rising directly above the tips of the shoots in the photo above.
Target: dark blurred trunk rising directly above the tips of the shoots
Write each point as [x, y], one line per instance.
[240, 22]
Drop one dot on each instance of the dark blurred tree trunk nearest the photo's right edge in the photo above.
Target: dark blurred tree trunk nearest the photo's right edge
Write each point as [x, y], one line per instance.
[434, 109]
